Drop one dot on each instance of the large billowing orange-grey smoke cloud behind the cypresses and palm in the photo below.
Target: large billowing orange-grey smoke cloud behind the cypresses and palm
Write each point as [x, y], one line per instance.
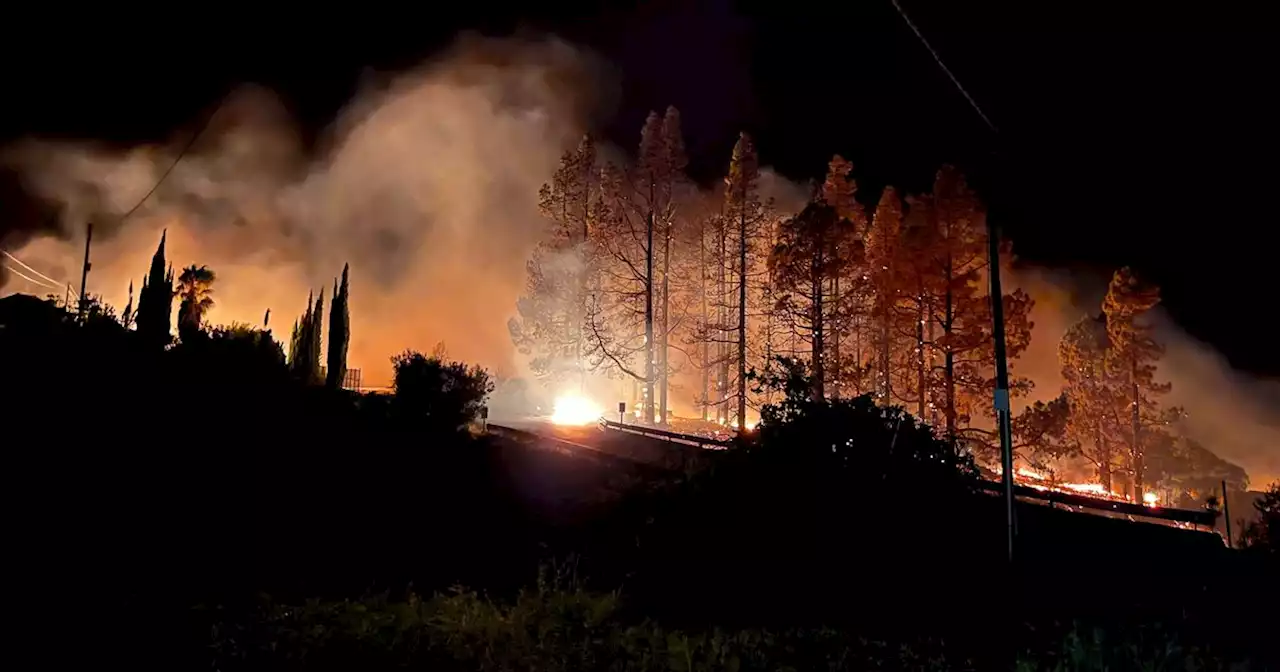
[427, 185]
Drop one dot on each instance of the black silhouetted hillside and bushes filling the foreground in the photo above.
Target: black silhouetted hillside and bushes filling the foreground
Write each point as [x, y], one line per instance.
[202, 506]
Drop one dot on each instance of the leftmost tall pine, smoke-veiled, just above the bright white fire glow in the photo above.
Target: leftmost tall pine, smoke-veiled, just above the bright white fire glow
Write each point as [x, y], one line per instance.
[551, 326]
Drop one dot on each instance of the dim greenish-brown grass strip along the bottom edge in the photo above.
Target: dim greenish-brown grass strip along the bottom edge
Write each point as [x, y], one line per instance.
[559, 627]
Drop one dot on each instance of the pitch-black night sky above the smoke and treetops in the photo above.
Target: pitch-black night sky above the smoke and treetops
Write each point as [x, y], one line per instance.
[1127, 136]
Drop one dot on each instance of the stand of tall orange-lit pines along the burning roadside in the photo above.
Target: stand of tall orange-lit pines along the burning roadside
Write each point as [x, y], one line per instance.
[683, 290]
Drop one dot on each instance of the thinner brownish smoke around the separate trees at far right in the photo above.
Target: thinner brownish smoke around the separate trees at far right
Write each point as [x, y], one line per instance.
[1228, 412]
